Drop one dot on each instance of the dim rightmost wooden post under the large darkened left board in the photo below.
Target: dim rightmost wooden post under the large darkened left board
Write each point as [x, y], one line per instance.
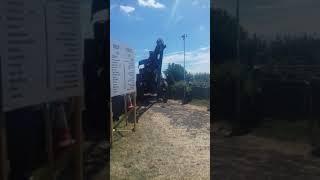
[78, 149]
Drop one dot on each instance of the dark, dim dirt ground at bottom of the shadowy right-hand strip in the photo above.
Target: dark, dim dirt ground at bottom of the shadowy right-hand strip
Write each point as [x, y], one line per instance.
[253, 157]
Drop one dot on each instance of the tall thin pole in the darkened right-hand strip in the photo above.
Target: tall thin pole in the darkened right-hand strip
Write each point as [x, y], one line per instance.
[238, 91]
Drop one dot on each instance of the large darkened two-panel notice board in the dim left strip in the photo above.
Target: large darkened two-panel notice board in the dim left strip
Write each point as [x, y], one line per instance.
[40, 51]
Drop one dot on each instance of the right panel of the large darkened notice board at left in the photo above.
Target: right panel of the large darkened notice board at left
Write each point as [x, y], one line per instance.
[65, 49]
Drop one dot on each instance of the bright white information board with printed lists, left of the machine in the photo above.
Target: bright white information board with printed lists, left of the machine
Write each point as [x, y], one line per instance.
[122, 69]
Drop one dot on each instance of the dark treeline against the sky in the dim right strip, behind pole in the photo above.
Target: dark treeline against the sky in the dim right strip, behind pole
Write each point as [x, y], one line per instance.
[284, 49]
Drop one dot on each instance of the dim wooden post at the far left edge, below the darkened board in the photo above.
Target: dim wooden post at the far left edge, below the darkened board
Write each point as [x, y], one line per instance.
[3, 148]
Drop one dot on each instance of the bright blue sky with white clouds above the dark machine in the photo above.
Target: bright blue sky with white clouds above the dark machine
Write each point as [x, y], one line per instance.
[139, 23]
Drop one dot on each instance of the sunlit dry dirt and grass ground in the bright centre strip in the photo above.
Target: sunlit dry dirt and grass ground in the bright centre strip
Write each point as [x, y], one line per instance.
[171, 142]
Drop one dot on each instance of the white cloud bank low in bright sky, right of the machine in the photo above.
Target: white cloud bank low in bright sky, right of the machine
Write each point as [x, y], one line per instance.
[196, 61]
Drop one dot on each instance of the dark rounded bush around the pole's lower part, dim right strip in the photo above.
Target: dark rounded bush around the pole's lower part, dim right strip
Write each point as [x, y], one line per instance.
[225, 89]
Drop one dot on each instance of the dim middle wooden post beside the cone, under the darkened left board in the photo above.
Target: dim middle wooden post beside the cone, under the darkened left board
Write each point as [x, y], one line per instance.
[49, 139]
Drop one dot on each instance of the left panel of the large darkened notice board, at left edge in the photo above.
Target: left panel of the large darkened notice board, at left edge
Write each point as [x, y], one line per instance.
[23, 53]
